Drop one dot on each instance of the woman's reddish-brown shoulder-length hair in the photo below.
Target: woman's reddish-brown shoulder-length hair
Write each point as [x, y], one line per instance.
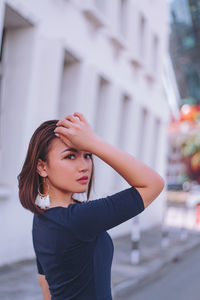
[29, 179]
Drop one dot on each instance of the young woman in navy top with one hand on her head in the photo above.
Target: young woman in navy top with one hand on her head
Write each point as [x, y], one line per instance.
[73, 250]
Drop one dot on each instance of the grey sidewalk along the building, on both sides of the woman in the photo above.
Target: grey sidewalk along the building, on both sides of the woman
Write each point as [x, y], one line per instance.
[19, 281]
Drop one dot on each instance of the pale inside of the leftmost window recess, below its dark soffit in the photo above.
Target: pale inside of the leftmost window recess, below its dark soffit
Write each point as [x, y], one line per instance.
[17, 66]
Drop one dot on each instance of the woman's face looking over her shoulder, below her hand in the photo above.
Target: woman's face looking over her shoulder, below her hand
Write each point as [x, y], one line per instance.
[66, 165]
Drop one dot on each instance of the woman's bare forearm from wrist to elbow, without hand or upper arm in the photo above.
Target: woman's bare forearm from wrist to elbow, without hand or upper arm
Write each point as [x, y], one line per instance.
[135, 172]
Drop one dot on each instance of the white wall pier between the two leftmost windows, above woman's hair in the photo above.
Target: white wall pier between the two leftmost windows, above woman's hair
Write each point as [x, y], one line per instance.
[44, 86]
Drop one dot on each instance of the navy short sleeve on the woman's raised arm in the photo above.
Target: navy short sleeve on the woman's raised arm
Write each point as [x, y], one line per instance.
[89, 219]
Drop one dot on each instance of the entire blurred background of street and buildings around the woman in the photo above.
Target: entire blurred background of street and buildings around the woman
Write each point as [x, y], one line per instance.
[133, 69]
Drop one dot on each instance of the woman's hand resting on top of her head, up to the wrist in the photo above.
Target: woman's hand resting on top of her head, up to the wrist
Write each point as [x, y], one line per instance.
[75, 131]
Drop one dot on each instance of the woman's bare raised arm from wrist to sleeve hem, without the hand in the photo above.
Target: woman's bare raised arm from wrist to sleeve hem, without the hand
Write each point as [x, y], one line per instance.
[148, 182]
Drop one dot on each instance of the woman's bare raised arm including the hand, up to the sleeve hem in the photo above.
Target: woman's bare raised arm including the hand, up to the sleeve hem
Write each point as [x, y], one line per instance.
[79, 133]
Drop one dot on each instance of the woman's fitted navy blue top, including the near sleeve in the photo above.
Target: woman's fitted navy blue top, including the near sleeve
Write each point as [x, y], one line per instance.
[73, 249]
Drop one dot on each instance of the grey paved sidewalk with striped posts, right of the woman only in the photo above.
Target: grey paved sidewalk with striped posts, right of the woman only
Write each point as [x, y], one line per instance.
[153, 257]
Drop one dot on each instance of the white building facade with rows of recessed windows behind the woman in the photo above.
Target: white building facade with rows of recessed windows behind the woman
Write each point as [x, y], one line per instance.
[102, 58]
